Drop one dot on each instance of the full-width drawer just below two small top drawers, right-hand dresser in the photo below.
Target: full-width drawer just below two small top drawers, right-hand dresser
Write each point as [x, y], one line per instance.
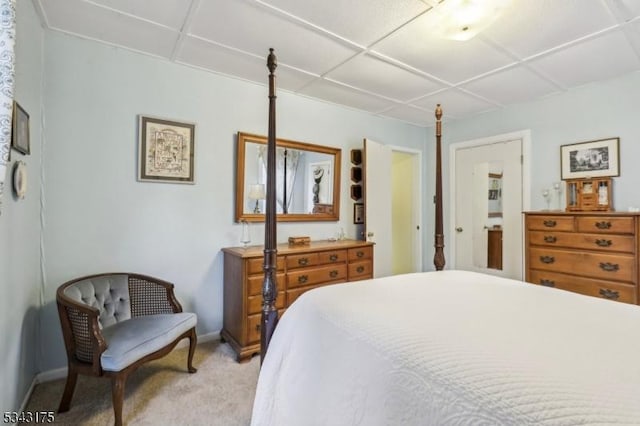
[617, 243]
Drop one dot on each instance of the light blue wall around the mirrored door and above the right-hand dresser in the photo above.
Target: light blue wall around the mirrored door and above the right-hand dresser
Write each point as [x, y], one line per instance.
[595, 111]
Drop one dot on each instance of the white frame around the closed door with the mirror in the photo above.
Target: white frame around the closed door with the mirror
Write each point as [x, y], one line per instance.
[525, 137]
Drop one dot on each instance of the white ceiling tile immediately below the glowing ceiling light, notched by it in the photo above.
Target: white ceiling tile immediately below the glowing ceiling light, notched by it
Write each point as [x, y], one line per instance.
[450, 60]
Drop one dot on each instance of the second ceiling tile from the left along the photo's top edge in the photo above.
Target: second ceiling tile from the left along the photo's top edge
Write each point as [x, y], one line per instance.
[171, 13]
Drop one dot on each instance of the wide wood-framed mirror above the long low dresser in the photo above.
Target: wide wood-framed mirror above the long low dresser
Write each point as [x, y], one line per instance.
[307, 180]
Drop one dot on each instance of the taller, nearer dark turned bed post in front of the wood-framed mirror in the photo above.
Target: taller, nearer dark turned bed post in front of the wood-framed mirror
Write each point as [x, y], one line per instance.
[269, 291]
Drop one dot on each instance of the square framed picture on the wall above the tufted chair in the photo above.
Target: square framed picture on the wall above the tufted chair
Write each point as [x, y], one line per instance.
[165, 150]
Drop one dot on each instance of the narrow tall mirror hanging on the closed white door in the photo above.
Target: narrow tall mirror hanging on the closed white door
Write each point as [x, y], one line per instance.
[487, 224]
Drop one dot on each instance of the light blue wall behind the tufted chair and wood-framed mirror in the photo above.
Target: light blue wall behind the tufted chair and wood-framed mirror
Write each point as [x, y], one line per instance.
[99, 218]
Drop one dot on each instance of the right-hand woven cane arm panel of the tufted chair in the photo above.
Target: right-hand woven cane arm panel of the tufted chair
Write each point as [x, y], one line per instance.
[151, 296]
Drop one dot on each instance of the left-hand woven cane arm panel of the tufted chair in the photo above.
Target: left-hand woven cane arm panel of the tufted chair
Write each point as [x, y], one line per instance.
[83, 339]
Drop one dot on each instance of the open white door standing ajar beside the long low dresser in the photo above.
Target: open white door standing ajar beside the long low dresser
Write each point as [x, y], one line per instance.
[377, 202]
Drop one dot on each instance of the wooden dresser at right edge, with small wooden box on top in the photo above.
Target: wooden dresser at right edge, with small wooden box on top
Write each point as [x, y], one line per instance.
[590, 253]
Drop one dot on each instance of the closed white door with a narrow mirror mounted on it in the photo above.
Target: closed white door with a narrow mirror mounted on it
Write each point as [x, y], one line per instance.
[488, 200]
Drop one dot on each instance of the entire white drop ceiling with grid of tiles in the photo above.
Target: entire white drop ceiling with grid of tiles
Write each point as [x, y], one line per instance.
[374, 55]
